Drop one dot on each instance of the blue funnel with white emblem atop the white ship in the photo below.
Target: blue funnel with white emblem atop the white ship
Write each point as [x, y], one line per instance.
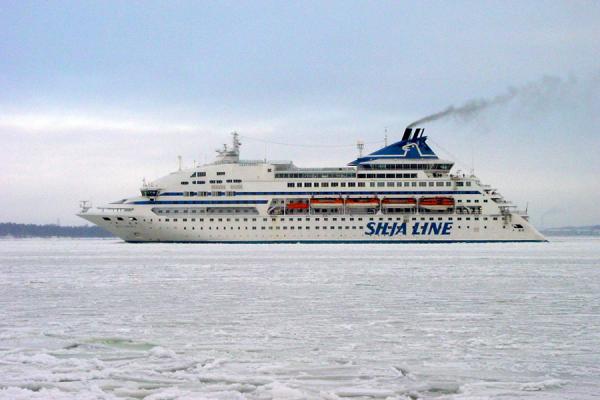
[412, 147]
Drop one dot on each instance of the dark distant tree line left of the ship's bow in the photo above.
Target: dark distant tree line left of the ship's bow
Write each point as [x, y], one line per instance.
[30, 230]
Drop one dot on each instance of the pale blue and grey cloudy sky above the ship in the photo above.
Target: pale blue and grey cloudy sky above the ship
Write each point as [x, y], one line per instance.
[94, 96]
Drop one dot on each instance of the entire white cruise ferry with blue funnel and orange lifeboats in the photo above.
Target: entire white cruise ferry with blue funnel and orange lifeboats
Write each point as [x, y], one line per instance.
[401, 193]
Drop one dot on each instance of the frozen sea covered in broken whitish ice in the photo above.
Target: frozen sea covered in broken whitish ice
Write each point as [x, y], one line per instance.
[101, 319]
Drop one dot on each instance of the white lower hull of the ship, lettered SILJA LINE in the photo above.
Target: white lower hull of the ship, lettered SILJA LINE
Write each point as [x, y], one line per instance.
[415, 228]
